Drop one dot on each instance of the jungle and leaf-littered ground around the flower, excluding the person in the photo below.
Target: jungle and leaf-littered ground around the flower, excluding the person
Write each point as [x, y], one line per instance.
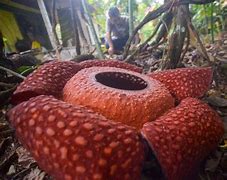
[184, 33]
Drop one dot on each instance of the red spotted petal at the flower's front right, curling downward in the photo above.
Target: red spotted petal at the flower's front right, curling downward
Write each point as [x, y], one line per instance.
[183, 137]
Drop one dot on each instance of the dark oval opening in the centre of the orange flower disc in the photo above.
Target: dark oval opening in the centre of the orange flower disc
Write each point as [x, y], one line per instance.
[121, 80]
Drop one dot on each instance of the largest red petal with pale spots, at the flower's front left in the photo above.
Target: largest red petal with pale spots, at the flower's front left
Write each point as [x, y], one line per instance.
[72, 142]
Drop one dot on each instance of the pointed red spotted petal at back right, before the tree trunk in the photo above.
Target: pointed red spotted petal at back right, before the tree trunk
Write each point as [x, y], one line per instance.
[185, 82]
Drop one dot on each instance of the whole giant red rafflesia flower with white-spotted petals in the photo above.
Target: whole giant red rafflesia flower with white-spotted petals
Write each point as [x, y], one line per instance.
[109, 109]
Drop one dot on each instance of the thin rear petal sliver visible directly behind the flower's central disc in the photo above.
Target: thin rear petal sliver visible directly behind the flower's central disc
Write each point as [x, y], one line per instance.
[110, 63]
